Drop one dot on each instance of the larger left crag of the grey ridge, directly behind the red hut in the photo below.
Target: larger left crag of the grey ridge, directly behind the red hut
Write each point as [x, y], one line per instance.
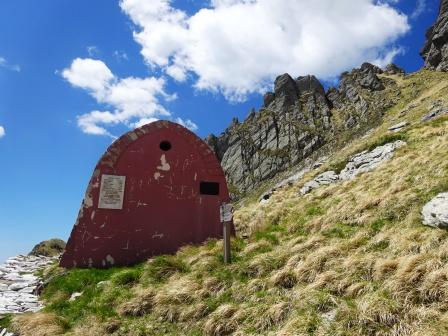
[289, 127]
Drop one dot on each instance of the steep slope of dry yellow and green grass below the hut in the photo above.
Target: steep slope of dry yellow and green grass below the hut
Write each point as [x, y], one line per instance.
[348, 259]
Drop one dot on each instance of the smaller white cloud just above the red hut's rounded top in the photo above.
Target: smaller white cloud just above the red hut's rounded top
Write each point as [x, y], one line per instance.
[131, 101]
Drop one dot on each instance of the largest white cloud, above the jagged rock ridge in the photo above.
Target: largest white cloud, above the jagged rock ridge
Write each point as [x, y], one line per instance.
[237, 47]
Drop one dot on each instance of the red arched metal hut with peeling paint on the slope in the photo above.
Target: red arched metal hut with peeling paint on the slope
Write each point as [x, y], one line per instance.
[155, 189]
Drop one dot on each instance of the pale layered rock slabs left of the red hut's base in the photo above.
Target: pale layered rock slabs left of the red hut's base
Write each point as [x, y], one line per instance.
[18, 283]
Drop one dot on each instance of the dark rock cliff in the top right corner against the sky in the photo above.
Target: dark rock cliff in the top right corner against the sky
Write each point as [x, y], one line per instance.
[435, 50]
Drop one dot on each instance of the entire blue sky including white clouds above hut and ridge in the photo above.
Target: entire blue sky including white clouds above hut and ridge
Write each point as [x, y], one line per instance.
[197, 62]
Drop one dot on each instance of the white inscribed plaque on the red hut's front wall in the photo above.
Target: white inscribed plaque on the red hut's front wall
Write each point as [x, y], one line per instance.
[111, 192]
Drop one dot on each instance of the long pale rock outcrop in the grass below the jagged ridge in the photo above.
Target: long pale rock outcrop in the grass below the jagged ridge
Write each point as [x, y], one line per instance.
[359, 163]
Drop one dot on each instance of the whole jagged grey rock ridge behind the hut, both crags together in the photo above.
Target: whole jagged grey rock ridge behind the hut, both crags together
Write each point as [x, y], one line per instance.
[296, 120]
